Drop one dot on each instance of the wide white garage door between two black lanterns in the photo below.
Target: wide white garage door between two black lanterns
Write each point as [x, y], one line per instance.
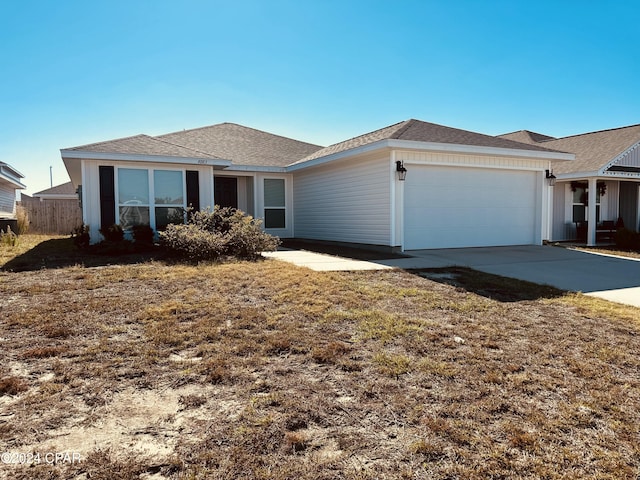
[449, 207]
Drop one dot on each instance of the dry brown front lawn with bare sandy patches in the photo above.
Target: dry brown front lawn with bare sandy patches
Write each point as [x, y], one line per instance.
[269, 371]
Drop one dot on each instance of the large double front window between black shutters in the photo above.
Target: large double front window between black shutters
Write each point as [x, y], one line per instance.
[150, 197]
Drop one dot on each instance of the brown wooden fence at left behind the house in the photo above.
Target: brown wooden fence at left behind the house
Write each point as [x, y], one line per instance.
[52, 216]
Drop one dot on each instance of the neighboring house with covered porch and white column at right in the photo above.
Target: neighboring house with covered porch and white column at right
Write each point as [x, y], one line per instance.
[605, 173]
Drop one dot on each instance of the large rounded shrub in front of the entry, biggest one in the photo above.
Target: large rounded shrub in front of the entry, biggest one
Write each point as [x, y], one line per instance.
[213, 234]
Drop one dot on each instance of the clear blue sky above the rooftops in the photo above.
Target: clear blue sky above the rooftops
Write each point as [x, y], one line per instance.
[77, 72]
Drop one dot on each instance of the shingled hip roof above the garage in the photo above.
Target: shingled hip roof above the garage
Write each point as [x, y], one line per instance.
[419, 131]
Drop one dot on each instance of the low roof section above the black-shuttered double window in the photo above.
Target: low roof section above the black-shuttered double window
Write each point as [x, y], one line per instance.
[143, 145]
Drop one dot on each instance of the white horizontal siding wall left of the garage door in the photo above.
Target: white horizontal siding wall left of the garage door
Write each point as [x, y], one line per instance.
[346, 201]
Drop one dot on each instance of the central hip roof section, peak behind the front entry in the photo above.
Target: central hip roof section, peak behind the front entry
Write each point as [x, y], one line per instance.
[243, 145]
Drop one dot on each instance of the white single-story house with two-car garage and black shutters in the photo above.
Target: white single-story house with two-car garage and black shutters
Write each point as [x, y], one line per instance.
[462, 188]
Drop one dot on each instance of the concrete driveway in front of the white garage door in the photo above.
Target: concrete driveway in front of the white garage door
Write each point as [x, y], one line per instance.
[612, 278]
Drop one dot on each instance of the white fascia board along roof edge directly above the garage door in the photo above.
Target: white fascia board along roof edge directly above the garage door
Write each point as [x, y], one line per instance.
[479, 150]
